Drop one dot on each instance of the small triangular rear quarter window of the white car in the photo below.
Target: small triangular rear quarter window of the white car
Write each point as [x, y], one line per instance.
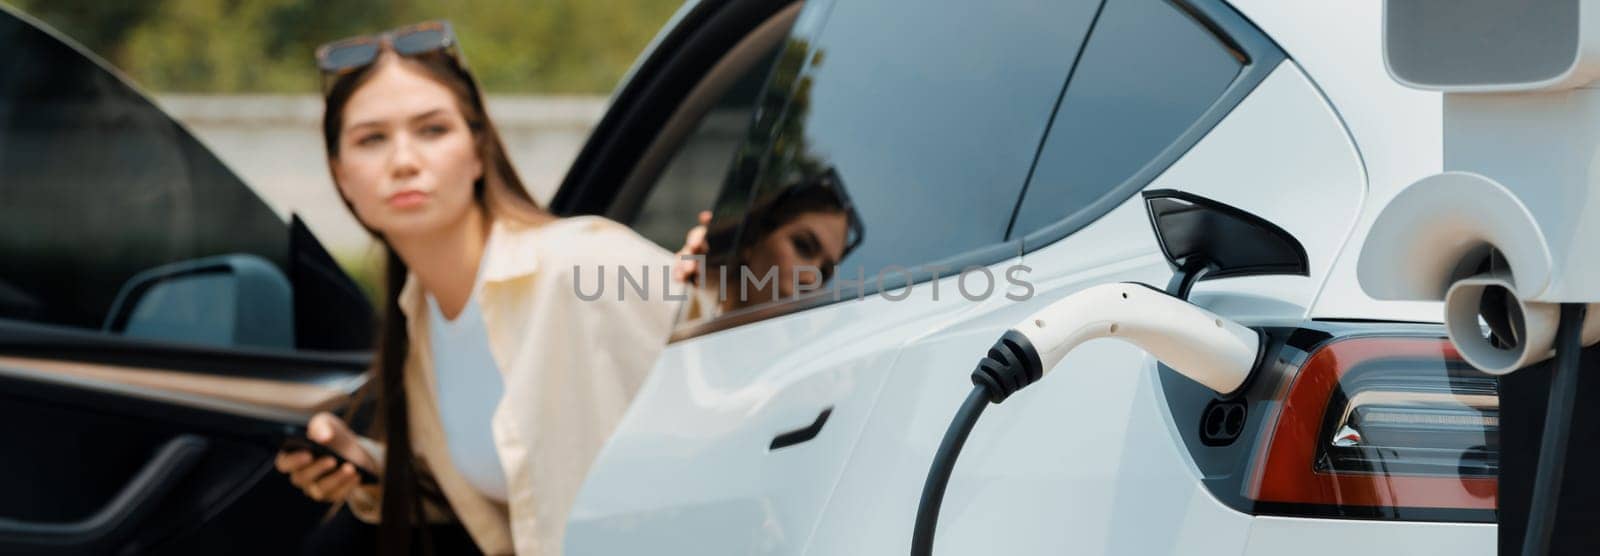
[1148, 73]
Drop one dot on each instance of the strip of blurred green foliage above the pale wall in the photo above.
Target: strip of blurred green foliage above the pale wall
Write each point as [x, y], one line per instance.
[550, 47]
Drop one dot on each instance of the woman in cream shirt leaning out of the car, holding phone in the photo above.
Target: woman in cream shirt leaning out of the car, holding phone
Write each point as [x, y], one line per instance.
[497, 384]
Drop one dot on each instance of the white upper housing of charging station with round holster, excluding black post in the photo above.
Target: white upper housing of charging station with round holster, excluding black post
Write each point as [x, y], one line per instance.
[1510, 228]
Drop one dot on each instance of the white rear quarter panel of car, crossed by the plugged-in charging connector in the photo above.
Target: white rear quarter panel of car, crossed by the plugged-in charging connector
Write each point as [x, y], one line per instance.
[1090, 459]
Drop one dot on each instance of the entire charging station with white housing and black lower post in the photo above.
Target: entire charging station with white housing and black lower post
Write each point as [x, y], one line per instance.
[1505, 237]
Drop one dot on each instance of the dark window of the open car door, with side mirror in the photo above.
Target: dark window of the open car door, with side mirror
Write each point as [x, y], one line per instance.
[116, 220]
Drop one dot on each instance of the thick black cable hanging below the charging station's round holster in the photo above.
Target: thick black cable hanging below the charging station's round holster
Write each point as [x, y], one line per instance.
[1558, 429]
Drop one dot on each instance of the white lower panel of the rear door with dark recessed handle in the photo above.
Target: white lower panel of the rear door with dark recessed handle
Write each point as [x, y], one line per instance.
[692, 466]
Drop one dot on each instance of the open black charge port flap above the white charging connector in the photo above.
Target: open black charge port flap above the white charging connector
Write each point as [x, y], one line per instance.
[1206, 240]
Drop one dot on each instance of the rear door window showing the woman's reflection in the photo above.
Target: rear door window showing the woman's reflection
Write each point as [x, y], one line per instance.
[890, 143]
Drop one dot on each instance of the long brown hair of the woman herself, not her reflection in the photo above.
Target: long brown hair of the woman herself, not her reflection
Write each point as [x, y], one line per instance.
[500, 194]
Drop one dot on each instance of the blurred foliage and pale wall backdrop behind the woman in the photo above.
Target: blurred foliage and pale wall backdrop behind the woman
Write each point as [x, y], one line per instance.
[241, 76]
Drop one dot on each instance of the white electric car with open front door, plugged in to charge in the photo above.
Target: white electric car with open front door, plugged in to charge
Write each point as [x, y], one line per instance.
[946, 169]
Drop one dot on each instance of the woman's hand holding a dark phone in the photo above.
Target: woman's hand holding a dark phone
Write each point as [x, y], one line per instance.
[322, 479]
